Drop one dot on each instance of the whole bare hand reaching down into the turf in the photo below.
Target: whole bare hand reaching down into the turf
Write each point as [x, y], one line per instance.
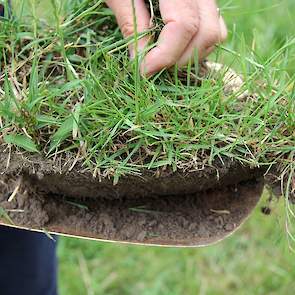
[190, 26]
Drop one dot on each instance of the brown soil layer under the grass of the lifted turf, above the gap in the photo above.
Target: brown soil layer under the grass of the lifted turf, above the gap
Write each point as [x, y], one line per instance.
[55, 177]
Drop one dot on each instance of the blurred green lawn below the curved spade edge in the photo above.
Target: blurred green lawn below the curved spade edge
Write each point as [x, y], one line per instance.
[255, 260]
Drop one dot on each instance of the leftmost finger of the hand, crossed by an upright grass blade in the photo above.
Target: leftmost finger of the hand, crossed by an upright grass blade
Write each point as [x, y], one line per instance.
[124, 14]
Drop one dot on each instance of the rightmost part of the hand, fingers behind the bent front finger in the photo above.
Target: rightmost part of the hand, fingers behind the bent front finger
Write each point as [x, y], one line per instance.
[212, 31]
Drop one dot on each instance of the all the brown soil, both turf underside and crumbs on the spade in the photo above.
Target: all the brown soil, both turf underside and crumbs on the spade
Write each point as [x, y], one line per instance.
[174, 209]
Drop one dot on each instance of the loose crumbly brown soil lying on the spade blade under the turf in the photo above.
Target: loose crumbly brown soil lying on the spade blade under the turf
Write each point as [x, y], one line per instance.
[186, 220]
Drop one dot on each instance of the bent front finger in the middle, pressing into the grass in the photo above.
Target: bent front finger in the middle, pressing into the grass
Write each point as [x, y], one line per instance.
[181, 25]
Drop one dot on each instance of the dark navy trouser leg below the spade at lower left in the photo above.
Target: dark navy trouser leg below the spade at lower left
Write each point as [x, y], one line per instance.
[28, 263]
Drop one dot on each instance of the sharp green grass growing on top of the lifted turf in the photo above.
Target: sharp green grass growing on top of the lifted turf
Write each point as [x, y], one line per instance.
[69, 87]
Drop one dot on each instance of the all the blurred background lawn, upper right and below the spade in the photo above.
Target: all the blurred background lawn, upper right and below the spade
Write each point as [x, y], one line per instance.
[255, 260]
